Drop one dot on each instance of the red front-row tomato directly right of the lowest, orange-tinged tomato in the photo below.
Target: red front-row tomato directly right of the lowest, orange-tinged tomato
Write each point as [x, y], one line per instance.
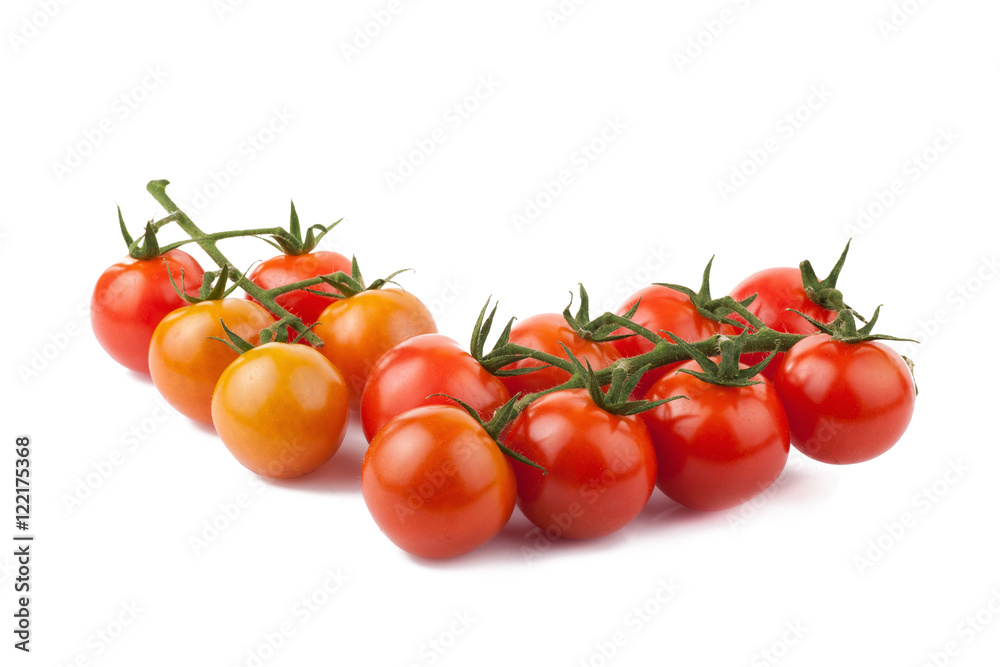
[601, 467]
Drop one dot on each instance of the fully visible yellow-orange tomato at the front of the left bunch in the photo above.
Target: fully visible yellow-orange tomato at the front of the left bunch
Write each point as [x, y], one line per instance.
[281, 409]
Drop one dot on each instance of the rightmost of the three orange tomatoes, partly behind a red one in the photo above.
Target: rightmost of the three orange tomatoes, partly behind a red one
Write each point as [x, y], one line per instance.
[357, 331]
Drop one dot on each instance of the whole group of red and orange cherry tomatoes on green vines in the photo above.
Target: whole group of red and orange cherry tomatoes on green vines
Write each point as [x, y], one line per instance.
[574, 420]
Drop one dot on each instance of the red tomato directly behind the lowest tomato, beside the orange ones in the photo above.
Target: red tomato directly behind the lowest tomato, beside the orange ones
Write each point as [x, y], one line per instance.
[405, 377]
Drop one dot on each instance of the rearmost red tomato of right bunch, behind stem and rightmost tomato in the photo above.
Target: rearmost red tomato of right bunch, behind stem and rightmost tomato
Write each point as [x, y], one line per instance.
[776, 290]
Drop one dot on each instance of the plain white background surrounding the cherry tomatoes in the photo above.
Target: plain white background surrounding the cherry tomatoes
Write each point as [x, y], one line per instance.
[819, 554]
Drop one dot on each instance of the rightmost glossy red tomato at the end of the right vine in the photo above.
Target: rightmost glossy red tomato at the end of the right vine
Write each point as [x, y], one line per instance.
[846, 402]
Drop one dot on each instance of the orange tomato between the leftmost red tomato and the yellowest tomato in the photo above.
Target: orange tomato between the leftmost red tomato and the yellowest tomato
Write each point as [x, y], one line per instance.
[184, 360]
